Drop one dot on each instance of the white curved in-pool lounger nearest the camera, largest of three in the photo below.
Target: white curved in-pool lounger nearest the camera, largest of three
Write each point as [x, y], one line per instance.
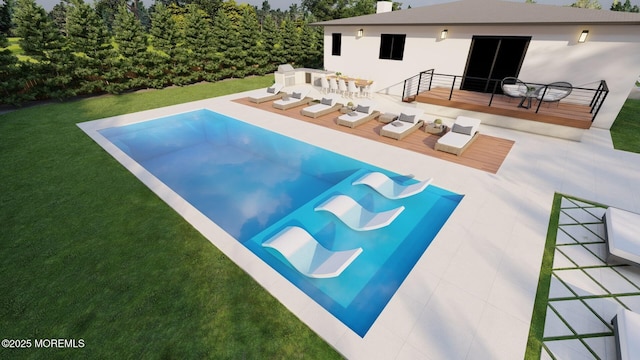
[308, 256]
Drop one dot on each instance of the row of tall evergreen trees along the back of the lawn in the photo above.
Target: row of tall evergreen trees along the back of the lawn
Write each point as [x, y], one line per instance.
[81, 49]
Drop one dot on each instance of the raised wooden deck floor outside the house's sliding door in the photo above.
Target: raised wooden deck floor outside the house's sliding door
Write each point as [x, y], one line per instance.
[562, 113]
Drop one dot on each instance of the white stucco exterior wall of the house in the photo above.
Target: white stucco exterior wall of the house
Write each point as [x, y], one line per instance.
[611, 53]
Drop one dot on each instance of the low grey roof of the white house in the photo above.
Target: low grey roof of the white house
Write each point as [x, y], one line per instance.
[491, 12]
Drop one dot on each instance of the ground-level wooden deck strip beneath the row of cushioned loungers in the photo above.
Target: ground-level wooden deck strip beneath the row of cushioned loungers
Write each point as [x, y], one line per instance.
[487, 153]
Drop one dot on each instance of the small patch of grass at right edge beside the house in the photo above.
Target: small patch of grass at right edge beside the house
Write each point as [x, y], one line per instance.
[625, 131]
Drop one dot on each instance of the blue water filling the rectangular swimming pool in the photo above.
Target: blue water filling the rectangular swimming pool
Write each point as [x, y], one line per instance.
[253, 183]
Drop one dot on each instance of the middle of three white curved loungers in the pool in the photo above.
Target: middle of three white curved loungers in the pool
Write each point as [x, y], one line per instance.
[355, 216]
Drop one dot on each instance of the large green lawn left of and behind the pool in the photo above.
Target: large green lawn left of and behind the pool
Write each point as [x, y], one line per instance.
[88, 252]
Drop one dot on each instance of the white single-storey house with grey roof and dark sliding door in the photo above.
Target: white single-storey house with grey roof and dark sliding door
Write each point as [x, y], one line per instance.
[492, 39]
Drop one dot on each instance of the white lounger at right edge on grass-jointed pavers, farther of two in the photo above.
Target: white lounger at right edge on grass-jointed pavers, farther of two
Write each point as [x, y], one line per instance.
[621, 234]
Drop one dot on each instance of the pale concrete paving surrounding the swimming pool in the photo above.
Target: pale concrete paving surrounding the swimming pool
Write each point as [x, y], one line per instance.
[471, 294]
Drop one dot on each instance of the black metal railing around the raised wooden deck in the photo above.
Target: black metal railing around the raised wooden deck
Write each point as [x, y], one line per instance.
[428, 79]
